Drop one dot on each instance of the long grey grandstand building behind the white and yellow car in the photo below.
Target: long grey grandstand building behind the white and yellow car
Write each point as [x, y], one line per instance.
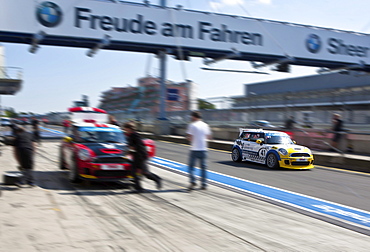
[310, 99]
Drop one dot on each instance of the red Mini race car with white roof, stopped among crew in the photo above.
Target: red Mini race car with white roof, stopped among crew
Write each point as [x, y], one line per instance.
[96, 150]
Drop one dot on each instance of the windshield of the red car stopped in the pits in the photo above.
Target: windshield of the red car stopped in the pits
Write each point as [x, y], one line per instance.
[100, 136]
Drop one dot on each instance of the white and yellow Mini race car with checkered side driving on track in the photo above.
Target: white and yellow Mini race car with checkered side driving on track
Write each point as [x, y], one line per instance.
[272, 148]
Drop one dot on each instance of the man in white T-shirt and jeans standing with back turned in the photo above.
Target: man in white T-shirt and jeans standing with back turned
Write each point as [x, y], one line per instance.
[198, 132]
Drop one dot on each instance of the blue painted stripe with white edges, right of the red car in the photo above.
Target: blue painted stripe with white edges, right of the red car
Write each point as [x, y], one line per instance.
[308, 203]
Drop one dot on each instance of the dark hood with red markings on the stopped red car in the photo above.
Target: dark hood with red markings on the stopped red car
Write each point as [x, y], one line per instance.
[107, 149]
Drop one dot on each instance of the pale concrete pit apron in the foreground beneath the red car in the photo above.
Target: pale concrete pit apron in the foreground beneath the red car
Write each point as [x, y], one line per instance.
[58, 216]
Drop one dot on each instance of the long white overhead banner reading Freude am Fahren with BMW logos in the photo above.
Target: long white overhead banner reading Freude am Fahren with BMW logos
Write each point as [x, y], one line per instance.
[153, 26]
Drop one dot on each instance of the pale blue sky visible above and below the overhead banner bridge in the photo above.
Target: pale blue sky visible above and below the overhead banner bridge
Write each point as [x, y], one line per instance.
[56, 76]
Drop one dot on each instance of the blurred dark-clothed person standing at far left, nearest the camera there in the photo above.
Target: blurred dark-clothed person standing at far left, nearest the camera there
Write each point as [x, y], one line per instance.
[24, 152]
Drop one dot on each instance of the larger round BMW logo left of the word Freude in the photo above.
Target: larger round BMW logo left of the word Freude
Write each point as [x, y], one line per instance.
[49, 14]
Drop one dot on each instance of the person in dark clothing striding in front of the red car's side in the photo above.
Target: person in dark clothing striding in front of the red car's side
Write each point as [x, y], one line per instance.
[140, 157]
